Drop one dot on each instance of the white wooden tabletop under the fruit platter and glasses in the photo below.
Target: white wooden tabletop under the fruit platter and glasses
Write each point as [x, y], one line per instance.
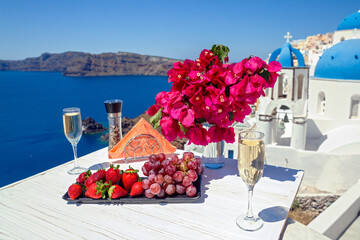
[33, 208]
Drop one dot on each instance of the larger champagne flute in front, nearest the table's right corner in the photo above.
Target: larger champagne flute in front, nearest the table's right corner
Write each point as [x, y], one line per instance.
[251, 167]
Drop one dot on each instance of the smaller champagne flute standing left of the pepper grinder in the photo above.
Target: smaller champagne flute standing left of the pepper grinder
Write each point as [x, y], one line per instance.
[73, 132]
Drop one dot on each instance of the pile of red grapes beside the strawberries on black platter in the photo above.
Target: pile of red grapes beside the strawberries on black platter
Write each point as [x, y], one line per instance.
[167, 176]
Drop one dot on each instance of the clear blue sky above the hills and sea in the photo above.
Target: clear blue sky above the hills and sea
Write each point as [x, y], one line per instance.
[177, 29]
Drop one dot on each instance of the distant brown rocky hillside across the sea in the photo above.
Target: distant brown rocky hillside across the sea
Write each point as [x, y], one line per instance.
[86, 64]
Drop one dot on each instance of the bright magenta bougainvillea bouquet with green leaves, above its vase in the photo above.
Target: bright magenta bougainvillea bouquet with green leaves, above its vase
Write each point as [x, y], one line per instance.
[211, 90]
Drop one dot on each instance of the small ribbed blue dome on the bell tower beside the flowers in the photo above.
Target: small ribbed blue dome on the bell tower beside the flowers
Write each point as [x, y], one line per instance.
[285, 54]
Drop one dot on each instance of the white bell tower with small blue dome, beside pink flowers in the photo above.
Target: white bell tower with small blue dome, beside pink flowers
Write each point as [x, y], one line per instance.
[290, 93]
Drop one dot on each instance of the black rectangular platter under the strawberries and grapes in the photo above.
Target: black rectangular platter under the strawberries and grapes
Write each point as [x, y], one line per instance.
[175, 198]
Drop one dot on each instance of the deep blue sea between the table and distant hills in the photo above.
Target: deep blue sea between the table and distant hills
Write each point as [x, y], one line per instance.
[31, 130]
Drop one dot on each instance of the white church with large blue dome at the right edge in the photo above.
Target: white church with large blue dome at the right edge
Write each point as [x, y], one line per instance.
[334, 100]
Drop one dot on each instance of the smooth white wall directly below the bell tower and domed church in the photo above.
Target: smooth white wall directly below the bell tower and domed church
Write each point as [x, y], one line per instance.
[334, 173]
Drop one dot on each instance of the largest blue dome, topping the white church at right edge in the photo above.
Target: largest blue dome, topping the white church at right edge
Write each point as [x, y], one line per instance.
[342, 61]
